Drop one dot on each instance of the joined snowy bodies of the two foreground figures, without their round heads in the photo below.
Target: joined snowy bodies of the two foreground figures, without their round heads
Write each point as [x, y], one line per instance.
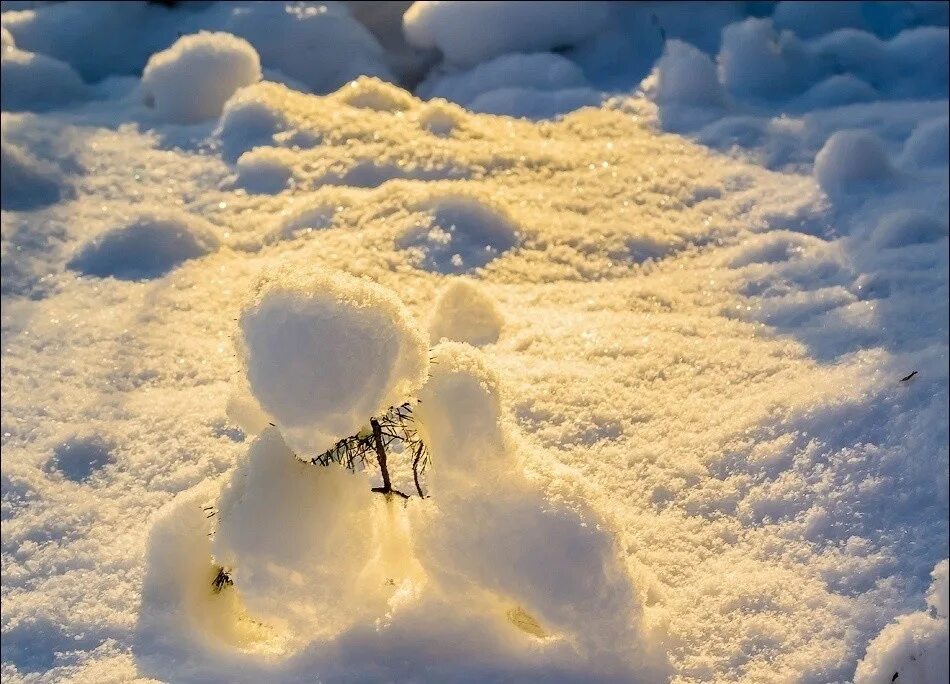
[490, 573]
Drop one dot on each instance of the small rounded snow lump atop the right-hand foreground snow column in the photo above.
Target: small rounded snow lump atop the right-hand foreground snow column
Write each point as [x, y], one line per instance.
[465, 313]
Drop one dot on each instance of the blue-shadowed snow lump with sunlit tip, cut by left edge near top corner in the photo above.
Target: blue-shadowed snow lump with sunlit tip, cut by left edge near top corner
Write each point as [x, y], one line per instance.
[34, 82]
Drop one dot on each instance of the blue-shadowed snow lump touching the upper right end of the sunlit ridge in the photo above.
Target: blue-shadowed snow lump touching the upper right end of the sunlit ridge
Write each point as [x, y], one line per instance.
[685, 75]
